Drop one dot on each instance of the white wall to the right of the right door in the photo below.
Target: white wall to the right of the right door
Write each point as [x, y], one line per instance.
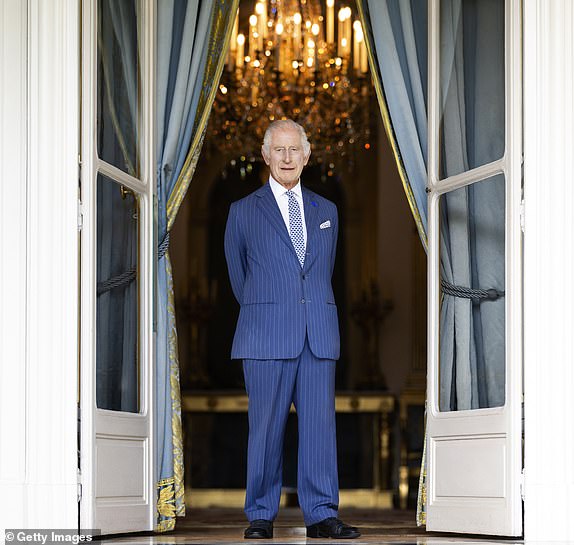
[549, 269]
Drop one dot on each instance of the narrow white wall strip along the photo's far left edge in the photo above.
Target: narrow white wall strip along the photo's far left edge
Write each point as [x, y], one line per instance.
[13, 134]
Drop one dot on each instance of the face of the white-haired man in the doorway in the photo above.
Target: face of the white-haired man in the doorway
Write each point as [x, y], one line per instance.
[286, 157]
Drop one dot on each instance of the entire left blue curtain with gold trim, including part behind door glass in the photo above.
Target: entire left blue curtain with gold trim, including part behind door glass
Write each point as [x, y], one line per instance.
[192, 41]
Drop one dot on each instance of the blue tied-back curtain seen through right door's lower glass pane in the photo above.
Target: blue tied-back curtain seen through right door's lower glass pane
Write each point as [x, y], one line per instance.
[472, 329]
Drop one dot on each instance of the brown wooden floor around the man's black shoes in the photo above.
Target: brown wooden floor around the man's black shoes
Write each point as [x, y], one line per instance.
[225, 526]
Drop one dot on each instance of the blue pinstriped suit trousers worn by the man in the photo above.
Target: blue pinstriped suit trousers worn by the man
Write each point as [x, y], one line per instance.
[272, 385]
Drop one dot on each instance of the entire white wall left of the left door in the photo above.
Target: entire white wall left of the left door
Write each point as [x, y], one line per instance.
[39, 262]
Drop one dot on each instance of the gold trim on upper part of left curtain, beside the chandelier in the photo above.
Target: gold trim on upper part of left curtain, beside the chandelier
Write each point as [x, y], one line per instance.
[176, 197]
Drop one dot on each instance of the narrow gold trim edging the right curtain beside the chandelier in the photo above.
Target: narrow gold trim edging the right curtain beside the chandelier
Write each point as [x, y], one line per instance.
[389, 127]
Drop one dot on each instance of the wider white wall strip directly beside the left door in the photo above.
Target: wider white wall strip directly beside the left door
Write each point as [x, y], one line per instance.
[52, 328]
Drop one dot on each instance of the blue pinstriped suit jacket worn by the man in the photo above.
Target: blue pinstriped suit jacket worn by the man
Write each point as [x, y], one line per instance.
[281, 302]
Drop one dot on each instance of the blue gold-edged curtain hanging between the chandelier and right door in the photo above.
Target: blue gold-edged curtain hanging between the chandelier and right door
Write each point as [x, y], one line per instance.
[396, 35]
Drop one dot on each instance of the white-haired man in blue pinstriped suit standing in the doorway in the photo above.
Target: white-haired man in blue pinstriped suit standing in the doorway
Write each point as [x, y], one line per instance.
[280, 245]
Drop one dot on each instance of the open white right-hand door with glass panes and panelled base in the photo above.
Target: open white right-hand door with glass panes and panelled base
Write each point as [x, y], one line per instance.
[474, 417]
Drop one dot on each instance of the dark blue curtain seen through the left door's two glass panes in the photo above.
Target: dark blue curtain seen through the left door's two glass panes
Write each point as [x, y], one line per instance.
[117, 210]
